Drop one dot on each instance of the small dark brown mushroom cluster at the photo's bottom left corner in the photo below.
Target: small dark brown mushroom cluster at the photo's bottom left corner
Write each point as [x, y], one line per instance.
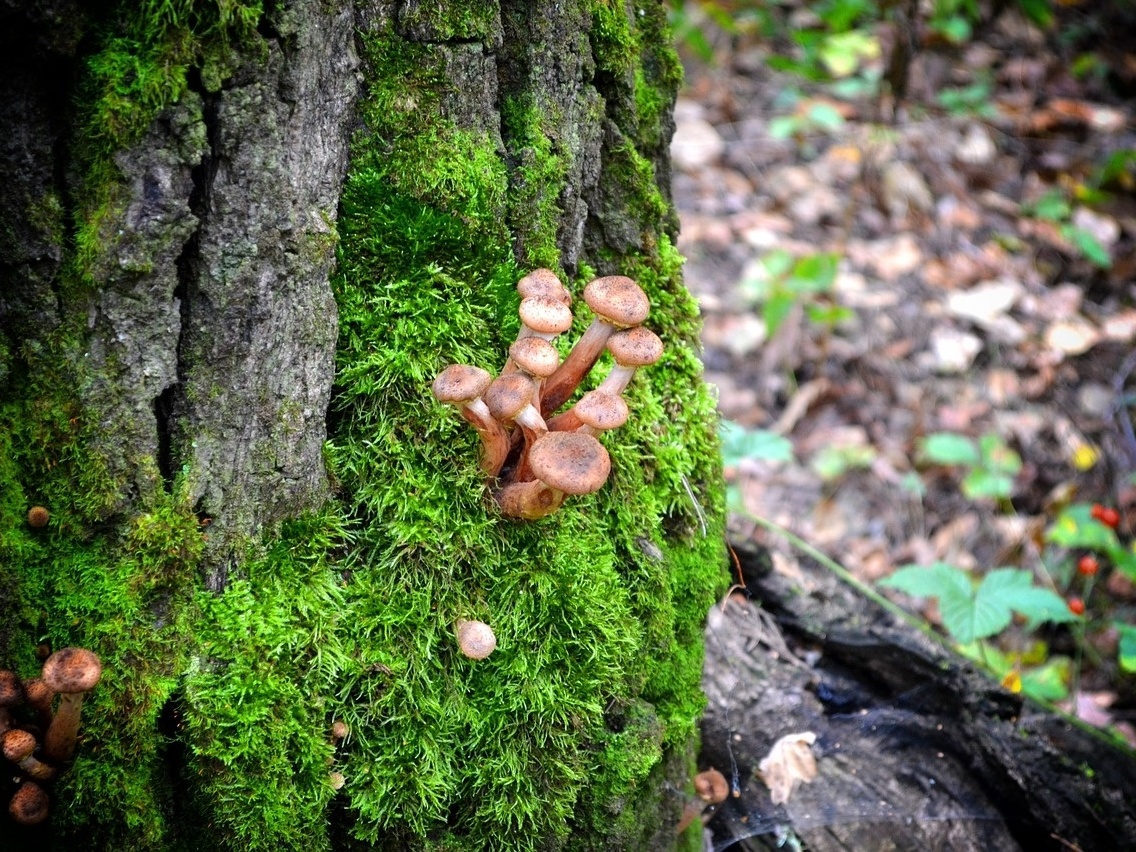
[38, 742]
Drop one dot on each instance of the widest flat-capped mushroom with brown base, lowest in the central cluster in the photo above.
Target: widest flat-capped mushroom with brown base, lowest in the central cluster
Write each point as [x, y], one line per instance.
[564, 463]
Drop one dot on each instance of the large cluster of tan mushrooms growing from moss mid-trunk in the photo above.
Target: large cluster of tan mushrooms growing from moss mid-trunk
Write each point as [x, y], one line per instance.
[532, 455]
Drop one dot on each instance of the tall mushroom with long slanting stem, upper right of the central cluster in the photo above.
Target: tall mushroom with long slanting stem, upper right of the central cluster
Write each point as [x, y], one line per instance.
[619, 303]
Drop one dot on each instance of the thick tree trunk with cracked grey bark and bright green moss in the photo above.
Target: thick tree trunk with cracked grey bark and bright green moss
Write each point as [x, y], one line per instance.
[239, 240]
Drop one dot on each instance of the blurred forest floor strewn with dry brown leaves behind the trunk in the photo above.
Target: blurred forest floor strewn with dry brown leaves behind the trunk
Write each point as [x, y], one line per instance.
[962, 266]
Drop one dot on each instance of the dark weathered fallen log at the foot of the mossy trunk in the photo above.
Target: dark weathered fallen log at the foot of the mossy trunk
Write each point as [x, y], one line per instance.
[916, 750]
